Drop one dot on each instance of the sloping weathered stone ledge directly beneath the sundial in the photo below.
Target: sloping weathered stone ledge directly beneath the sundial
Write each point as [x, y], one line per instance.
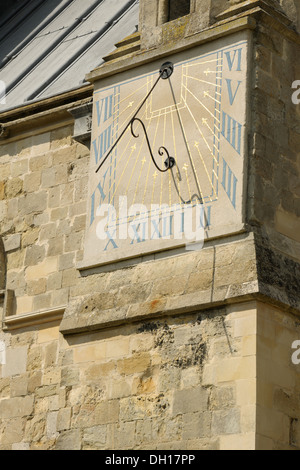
[214, 277]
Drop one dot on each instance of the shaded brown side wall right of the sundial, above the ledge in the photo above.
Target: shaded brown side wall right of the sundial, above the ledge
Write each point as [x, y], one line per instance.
[273, 201]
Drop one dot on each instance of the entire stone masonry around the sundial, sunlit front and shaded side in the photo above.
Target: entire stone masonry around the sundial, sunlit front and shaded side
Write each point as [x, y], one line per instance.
[191, 351]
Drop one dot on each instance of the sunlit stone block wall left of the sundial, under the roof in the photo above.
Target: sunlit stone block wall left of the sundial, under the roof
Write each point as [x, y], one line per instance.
[43, 212]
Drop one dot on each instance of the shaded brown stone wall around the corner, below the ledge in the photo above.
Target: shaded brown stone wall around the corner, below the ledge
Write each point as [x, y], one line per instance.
[278, 408]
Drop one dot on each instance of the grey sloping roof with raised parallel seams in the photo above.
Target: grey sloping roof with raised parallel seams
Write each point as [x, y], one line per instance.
[48, 46]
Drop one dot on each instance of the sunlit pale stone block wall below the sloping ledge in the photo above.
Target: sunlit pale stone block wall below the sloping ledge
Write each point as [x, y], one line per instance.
[173, 383]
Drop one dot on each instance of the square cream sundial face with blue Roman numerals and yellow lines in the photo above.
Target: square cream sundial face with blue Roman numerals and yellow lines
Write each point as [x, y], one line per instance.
[199, 116]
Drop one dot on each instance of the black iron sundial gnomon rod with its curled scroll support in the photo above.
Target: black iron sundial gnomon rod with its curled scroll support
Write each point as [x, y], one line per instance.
[165, 72]
